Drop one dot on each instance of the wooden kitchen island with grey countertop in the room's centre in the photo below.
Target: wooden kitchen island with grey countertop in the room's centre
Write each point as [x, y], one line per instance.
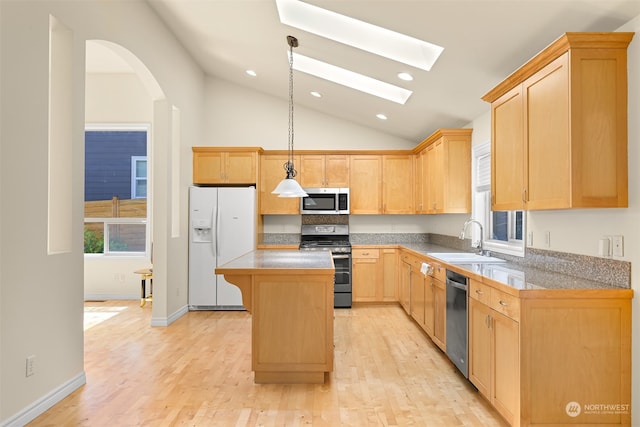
[290, 296]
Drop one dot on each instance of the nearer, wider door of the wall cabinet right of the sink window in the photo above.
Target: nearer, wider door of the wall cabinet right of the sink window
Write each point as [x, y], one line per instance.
[546, 100]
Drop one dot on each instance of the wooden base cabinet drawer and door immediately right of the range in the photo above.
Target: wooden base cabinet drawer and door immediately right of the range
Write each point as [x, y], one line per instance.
[366, 273]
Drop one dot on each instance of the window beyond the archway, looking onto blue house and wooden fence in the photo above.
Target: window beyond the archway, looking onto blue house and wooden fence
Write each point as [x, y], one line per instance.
[116, 219]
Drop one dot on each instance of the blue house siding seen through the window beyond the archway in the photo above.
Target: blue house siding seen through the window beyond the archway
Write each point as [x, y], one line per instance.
[108, 162]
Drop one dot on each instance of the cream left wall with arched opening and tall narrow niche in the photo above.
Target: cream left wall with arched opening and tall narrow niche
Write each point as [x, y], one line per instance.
[41, 295]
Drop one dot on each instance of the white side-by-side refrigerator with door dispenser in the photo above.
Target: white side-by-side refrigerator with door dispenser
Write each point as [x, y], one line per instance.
[222, 226]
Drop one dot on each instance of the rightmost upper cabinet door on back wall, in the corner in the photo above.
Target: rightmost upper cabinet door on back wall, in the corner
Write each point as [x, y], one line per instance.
[397, 184]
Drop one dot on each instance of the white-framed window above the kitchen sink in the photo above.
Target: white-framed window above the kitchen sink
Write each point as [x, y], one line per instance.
[505, 229]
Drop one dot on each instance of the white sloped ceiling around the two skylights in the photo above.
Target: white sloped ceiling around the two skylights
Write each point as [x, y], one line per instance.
[484, 42]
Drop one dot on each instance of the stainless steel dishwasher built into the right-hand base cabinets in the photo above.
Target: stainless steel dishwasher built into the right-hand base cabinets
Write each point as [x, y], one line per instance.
[457, 320]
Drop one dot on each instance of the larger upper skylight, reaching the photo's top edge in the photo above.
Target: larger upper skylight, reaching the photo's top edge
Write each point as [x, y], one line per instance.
[362, 35]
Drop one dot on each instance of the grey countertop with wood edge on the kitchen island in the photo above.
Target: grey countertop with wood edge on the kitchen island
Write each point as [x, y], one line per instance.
[279, 262]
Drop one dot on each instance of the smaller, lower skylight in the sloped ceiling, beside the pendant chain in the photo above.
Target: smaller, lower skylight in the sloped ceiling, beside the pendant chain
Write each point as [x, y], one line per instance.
[350, 79]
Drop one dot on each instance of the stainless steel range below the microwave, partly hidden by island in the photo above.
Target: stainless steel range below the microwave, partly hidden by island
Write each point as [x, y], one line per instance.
[334, 238]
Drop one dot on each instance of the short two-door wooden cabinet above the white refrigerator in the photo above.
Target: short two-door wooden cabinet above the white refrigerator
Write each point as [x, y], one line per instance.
[225, 165]
